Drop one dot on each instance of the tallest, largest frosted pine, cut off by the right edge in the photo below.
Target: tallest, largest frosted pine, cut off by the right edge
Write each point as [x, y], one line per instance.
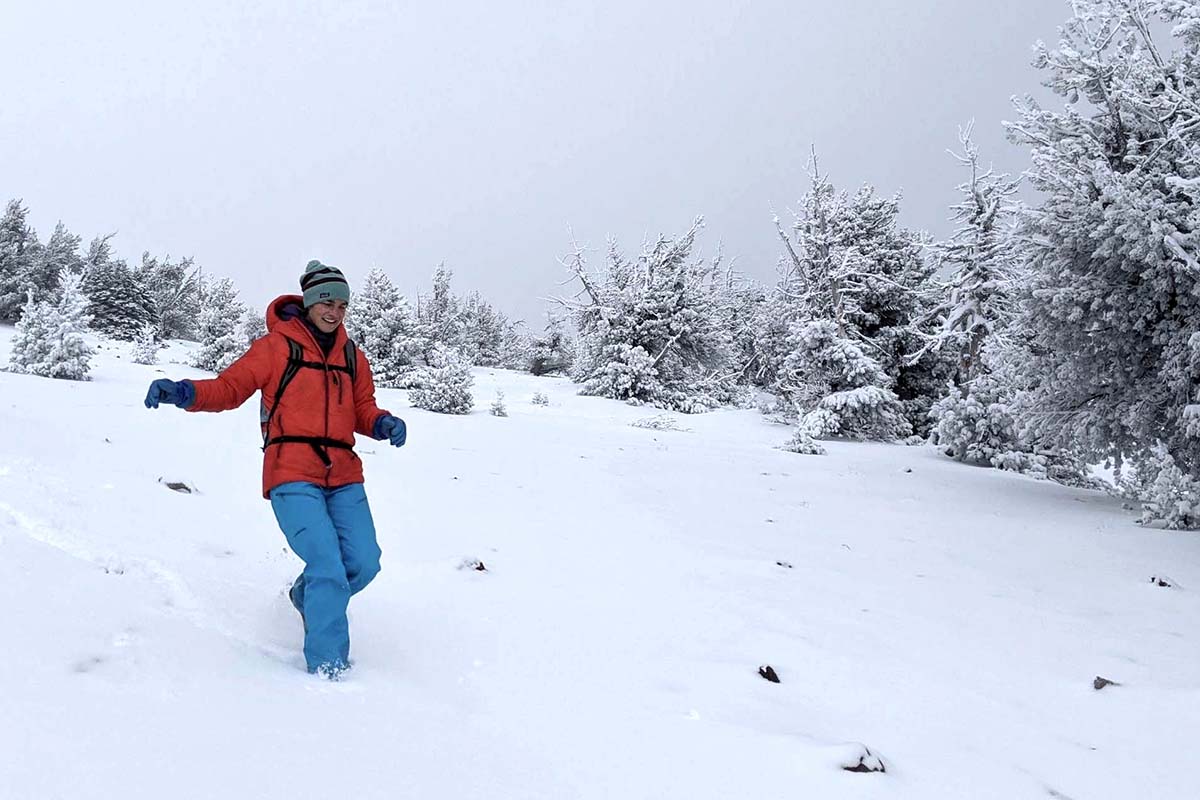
[1113, 314]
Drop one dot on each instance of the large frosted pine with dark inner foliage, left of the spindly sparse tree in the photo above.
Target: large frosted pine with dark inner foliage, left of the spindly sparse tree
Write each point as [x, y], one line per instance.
[850, 264]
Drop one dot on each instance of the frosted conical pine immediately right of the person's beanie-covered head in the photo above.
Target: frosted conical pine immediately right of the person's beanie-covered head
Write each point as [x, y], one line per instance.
[382, 323]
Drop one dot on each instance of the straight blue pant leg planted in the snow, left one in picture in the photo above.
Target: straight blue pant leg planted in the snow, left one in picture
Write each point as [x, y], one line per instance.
[303, 514]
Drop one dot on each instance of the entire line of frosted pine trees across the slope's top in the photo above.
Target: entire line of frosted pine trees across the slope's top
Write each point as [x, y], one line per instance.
[1043, 338]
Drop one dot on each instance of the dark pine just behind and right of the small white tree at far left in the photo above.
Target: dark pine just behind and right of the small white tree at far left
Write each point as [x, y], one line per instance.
[118, 302]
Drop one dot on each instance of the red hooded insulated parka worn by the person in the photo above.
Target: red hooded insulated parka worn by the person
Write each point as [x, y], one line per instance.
[310, 435]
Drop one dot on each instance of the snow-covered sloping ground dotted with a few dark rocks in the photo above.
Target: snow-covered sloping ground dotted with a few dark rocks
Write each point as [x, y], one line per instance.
[951, 619]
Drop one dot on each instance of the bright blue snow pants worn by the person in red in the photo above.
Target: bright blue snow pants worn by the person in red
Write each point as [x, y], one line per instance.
[334, 533]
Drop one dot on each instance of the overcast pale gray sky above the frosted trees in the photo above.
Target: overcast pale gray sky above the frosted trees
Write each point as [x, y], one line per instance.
[256, 136]
